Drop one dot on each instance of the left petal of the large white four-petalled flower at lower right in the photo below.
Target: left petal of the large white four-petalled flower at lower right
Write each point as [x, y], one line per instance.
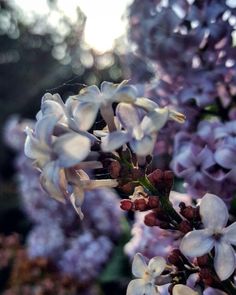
[196, 243]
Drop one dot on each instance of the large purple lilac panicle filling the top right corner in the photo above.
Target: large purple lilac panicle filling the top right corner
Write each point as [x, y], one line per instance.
[162, 31]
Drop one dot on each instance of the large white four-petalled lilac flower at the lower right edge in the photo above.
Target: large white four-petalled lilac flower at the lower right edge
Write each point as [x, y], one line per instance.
[196, 243]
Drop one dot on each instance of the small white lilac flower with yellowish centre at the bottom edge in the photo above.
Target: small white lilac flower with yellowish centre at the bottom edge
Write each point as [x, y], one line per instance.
[146, 275]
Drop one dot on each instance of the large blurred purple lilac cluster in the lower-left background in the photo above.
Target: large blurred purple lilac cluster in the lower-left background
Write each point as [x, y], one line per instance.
[58, 234]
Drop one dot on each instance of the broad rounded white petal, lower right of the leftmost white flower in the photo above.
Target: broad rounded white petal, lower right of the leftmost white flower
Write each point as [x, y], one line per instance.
[71, 149]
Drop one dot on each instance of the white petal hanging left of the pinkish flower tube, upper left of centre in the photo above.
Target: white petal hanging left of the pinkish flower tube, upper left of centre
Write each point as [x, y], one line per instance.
[85, 115]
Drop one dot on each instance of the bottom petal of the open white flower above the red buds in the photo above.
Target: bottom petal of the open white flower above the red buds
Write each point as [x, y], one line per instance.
[144, 146]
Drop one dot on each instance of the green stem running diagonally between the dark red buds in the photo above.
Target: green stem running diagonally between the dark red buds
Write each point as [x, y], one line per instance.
[164, 200]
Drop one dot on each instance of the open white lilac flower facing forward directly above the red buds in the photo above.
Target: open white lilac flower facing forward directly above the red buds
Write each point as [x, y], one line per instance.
[140, 130]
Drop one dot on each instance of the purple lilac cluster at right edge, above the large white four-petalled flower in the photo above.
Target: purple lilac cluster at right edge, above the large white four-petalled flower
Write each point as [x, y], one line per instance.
[205, 159]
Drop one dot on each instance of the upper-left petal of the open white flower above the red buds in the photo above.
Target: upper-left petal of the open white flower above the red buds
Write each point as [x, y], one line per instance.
[128, 116]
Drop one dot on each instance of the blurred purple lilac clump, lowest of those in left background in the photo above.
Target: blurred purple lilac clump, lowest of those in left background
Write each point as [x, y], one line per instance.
[86, 256]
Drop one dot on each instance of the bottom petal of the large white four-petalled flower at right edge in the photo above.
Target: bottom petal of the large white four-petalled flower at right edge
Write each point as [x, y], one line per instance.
[224, 260]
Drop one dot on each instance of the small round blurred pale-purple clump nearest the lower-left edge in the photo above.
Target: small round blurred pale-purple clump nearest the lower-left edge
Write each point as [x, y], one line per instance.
[46, 241]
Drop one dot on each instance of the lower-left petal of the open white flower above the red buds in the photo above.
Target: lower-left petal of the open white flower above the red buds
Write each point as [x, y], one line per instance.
[114, 140]
